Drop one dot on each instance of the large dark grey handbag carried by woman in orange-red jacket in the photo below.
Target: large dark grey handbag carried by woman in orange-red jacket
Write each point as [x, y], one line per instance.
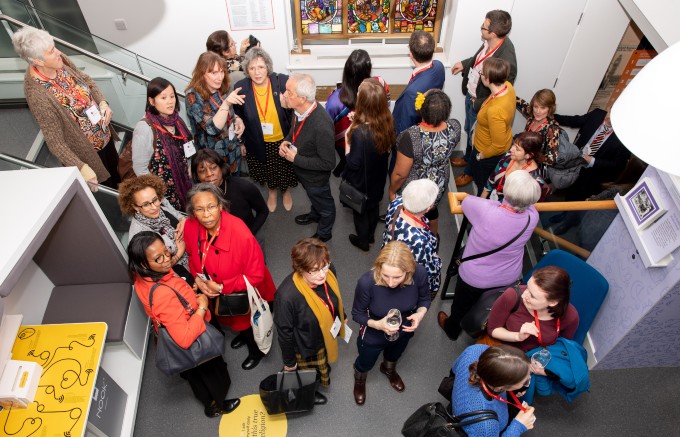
[170, 357]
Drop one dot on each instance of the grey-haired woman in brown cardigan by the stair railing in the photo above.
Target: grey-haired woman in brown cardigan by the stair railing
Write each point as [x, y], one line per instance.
[69, 108]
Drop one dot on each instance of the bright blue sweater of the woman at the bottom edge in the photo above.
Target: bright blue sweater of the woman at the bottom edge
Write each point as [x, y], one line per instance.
[468, 398]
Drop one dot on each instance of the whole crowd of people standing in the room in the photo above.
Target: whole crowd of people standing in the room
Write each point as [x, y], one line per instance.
[196, 222]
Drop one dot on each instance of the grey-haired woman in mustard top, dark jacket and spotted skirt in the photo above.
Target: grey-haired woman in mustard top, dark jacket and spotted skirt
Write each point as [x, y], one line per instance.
[267, 123]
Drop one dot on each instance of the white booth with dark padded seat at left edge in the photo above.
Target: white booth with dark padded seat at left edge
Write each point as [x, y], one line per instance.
[54, 234]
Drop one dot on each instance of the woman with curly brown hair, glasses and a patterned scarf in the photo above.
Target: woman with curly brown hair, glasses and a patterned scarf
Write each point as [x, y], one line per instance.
[142, 198]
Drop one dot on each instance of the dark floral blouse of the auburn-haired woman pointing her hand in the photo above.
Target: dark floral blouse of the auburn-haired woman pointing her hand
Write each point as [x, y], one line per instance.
[206, 135]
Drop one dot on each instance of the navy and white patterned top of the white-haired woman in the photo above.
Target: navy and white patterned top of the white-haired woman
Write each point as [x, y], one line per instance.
[422, 242]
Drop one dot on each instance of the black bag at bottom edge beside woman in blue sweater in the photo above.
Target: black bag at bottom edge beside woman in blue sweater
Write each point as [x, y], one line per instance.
[432, 420]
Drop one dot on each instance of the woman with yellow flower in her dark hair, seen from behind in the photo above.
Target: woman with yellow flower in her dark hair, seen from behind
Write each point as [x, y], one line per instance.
[423, 150]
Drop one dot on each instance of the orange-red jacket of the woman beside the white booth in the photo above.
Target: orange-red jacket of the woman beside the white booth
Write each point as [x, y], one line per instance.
[182, 327]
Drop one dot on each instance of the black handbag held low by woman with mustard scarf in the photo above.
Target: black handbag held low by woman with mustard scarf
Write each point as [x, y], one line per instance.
[277, 400]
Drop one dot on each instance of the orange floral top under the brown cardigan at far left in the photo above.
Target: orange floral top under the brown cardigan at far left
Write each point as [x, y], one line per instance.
[74, 95]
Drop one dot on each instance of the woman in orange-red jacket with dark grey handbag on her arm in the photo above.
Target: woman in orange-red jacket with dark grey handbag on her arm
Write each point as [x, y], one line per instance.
[150, 263]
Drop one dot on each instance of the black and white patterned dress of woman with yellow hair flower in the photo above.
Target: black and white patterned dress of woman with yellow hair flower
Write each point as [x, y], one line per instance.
[430, 152]
